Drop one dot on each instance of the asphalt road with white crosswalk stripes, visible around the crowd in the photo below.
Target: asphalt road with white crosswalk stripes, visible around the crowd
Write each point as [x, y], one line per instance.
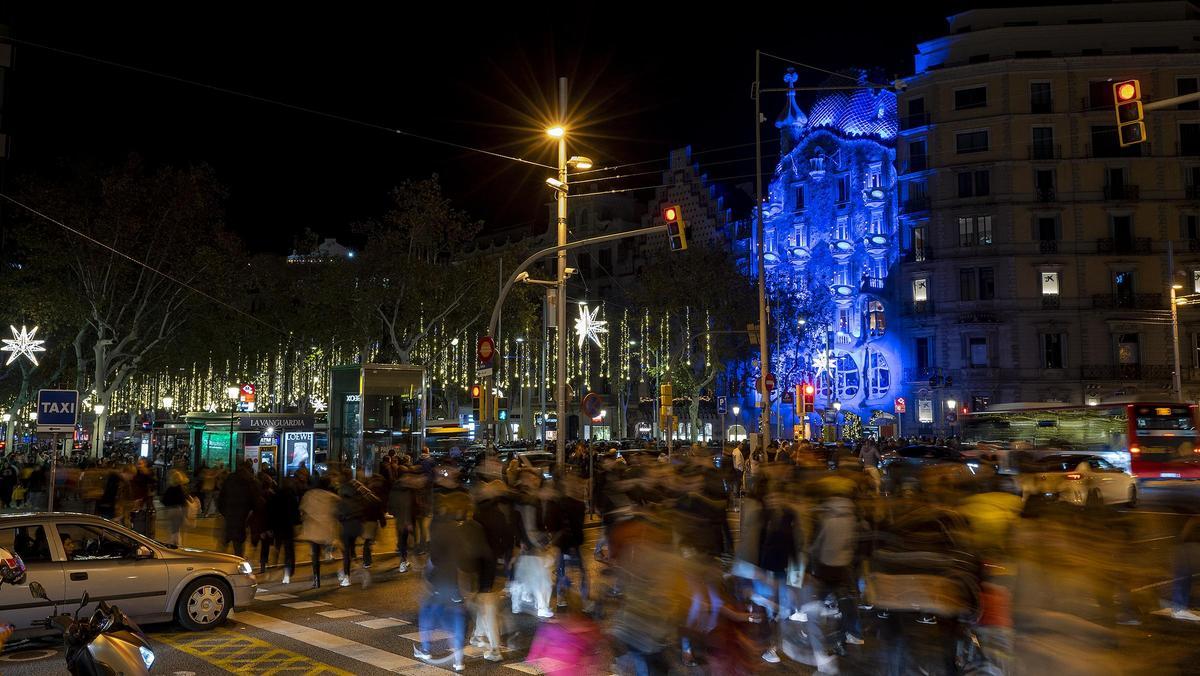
[374, 630]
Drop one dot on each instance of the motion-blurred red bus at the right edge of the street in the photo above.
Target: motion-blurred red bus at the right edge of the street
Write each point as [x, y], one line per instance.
[1150, 440]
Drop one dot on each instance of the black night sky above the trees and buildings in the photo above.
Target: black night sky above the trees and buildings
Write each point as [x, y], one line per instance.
[645, 81]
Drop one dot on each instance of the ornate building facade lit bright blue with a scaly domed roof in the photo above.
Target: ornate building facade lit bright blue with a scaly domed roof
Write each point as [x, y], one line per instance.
[831, 229]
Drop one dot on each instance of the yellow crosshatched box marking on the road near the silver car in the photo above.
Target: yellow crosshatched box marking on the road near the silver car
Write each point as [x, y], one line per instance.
[239, 654]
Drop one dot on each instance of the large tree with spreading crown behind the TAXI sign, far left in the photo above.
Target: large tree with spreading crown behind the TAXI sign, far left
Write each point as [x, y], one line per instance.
[159, 232]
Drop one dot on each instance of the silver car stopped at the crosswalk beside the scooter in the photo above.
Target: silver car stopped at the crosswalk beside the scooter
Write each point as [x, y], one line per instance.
[152, 582]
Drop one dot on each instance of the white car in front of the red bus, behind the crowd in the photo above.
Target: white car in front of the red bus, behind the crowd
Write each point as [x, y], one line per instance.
[1079, 480]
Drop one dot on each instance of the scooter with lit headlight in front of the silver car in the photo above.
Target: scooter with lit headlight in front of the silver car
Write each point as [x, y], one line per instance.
[106, 643]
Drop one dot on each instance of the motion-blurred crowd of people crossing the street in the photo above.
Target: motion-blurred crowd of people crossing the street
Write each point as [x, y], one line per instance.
[725, 560]
